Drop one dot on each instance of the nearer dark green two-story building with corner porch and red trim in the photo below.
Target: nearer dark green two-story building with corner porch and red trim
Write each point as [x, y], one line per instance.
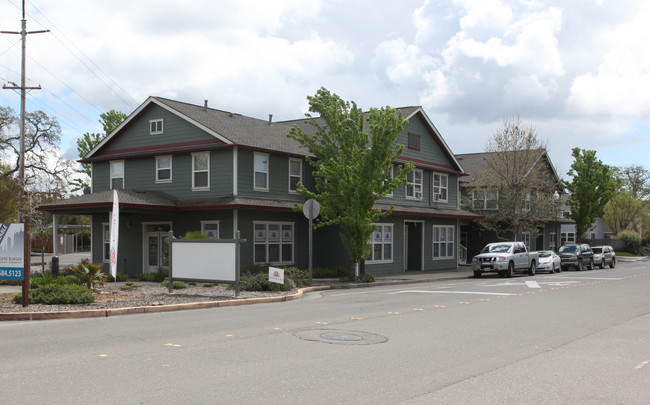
[184, 168]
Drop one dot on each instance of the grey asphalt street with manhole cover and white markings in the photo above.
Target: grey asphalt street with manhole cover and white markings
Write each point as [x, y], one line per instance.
[567, 338]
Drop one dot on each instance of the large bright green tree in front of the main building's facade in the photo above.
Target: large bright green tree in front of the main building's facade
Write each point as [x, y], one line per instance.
[352, 167]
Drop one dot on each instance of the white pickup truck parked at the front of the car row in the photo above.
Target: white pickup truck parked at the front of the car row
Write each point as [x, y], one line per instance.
[505, 258]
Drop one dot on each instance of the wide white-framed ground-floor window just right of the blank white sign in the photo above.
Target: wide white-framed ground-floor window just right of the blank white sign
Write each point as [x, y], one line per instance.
[273, 242]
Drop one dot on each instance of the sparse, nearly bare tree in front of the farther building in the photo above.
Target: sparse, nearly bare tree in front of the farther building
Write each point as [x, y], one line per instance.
[515, 190]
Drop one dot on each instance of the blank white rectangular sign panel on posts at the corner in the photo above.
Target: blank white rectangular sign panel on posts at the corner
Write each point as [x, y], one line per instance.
[204, 260]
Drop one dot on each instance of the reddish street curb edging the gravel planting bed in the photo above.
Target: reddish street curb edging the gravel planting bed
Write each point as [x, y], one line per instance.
[95, 313]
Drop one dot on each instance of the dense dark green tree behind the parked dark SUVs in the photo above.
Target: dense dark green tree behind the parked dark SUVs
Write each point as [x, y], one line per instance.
[591, 187]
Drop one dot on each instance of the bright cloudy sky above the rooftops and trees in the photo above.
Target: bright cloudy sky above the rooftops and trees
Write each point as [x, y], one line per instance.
[578, 70]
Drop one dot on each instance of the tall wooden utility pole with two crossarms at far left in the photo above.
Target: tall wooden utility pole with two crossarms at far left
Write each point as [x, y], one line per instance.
[21, 197]
